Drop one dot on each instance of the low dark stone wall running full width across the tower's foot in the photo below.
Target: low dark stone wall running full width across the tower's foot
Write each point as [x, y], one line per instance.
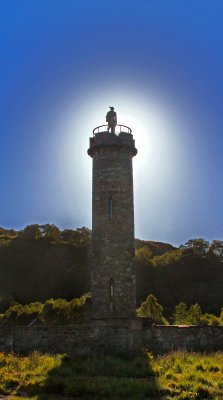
[110, 339]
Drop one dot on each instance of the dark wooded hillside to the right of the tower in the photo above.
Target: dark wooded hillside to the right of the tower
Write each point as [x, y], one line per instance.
[181, 275]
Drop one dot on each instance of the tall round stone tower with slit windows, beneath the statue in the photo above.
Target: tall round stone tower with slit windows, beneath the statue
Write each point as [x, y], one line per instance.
[113, 279]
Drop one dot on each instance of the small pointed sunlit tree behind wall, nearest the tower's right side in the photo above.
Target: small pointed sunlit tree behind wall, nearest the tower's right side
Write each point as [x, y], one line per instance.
[150, 308]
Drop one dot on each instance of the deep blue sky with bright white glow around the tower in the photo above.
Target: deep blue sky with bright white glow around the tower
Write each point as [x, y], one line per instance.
[160, 63]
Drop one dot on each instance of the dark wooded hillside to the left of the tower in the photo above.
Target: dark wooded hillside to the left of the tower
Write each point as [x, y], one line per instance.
[36, 266]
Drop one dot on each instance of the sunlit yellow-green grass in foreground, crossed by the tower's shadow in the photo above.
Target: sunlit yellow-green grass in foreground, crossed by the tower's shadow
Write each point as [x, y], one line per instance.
[179, 375]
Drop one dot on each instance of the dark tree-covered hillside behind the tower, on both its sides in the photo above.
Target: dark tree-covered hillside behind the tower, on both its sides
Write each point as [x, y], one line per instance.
[42, 262]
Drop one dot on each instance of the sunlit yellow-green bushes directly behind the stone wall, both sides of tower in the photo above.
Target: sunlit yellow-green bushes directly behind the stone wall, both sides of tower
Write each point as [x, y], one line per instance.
[77, 312]
